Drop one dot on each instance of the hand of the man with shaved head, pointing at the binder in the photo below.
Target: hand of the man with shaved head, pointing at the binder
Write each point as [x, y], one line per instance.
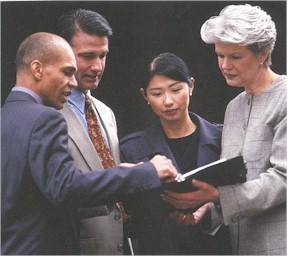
[165, 169]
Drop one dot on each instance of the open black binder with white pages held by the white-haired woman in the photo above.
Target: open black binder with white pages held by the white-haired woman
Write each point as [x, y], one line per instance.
[219, 173]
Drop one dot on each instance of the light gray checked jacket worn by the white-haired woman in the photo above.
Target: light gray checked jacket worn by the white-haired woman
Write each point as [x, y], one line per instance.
[256, 127]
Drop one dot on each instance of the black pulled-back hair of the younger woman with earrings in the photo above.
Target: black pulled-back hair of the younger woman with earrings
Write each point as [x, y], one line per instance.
[169, 65]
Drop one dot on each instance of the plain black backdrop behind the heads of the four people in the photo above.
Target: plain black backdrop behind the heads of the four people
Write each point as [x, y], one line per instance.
[142, 30]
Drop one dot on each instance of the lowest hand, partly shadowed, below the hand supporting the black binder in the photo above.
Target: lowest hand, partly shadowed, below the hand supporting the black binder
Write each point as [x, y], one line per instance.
[191, 218]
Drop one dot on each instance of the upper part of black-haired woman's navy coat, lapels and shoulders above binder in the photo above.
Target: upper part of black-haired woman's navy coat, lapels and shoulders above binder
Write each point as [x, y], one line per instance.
[142, 145]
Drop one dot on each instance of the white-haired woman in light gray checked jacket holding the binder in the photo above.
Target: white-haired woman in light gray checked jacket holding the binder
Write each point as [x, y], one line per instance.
[254, 127]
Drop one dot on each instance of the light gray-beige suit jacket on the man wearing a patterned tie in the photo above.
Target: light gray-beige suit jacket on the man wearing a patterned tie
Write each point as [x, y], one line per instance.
[101, 228]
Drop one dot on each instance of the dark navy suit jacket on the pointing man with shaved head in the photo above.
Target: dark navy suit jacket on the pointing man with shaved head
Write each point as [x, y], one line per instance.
[40, 184]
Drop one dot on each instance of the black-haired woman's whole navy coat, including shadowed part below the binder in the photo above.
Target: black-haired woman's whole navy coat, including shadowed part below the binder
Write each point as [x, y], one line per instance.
[157, 233]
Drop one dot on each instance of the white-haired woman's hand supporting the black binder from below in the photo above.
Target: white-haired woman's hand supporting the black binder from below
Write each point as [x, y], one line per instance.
[205, 193]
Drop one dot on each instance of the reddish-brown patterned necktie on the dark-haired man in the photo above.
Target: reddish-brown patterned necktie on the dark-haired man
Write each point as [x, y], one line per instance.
[100, 144]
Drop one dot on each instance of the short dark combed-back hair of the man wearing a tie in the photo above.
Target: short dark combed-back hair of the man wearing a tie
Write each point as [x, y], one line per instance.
[88, 21]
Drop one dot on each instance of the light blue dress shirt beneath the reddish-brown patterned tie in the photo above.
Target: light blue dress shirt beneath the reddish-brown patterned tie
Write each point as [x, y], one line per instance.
[77, 103]
